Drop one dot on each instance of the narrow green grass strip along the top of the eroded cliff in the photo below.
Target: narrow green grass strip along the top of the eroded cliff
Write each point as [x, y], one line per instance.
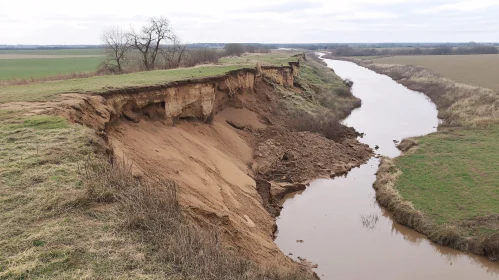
[43, 91]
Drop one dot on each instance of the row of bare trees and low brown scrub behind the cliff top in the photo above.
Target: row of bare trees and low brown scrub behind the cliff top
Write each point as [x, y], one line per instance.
[156, 46]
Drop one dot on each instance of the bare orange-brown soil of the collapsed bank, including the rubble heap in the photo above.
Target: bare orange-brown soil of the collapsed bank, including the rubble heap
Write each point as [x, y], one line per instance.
[231, 172]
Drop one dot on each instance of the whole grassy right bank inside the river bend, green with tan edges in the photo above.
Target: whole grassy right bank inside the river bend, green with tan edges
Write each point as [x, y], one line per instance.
[446, 186]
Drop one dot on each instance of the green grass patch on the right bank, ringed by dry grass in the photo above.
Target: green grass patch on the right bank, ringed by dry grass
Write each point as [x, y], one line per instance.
[453, 176]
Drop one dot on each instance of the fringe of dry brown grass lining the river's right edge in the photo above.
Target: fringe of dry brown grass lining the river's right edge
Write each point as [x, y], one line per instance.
[386, 194]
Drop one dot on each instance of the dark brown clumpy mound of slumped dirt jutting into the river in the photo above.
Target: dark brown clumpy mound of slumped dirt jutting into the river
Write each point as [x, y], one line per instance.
[284, 156]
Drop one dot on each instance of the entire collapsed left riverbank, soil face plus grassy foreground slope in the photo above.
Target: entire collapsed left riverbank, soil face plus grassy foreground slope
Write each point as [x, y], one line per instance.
[93, 218]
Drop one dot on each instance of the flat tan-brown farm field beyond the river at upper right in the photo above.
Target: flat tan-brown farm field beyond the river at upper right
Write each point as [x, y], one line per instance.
[477, 70]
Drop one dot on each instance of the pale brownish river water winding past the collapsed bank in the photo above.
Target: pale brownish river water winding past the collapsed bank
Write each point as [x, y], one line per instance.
[344, 231]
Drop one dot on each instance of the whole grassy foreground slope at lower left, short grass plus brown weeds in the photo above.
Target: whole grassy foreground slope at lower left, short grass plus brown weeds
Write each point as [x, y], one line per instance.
[63, 219]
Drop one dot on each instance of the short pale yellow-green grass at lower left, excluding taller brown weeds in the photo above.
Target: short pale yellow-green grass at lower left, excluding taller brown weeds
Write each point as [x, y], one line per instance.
[48, 229]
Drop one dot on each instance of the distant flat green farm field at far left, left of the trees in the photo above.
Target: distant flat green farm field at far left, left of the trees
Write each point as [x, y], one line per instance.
[28, 64]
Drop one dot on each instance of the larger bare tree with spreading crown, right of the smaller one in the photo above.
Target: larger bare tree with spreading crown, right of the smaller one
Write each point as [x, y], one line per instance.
[148, 40]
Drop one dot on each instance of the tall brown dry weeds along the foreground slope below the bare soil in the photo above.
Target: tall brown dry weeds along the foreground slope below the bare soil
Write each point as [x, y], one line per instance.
[151, 214]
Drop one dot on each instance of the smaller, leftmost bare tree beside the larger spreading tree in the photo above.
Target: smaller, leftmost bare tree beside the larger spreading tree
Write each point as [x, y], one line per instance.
[117, 45]
